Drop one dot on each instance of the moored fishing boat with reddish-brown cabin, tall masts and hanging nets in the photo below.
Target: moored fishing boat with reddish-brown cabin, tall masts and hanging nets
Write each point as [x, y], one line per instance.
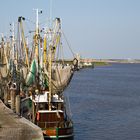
[36, 80]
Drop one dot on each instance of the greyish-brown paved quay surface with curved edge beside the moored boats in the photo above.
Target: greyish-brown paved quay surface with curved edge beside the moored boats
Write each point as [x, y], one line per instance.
[13, 127]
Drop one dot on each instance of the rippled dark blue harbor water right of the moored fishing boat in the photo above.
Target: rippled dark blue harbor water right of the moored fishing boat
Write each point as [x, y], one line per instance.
[105, 102]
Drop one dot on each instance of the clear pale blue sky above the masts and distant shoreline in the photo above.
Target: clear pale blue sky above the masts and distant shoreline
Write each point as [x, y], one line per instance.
[101, 29]
